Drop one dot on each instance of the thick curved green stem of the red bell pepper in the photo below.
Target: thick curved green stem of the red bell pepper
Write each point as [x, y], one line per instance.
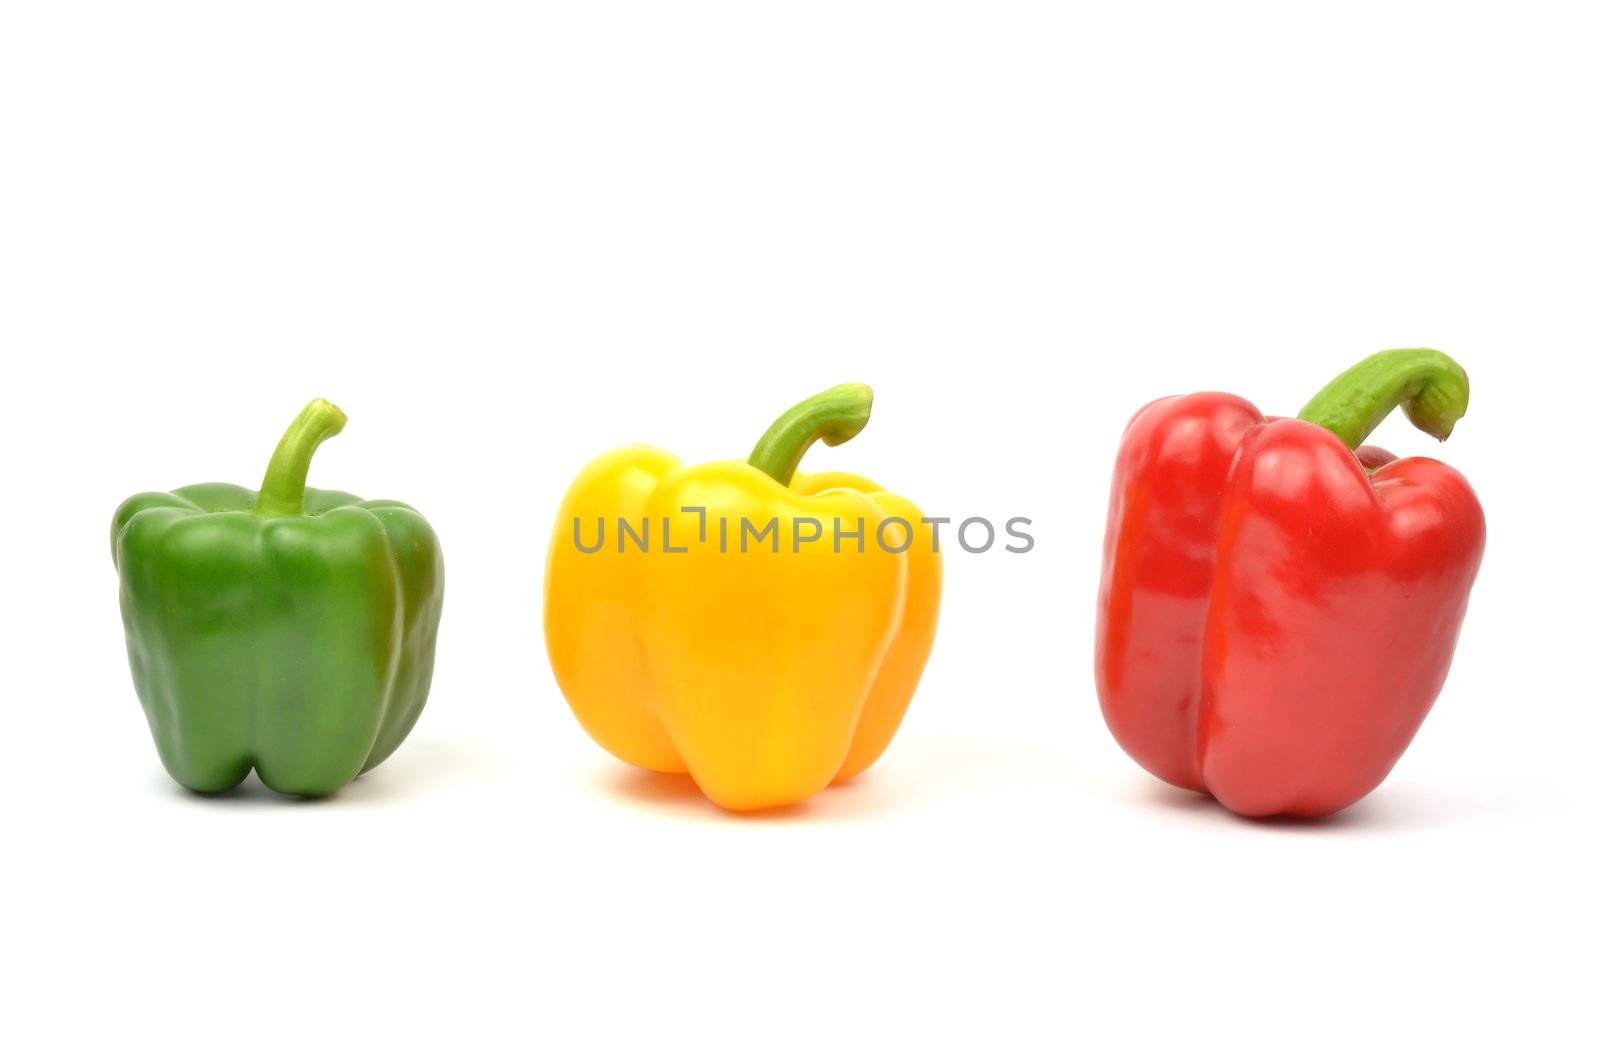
[1428, 385]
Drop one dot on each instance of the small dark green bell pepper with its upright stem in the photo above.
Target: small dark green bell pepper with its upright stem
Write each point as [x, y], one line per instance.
[289, 630]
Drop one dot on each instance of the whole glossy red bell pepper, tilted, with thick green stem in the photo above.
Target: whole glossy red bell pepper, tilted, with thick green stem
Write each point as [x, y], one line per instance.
[1279, 612]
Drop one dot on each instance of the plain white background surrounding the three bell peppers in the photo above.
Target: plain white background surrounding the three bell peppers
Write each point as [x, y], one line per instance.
[506, 238]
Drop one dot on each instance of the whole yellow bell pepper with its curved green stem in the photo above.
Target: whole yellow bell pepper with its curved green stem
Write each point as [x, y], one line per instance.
[724, 628]
